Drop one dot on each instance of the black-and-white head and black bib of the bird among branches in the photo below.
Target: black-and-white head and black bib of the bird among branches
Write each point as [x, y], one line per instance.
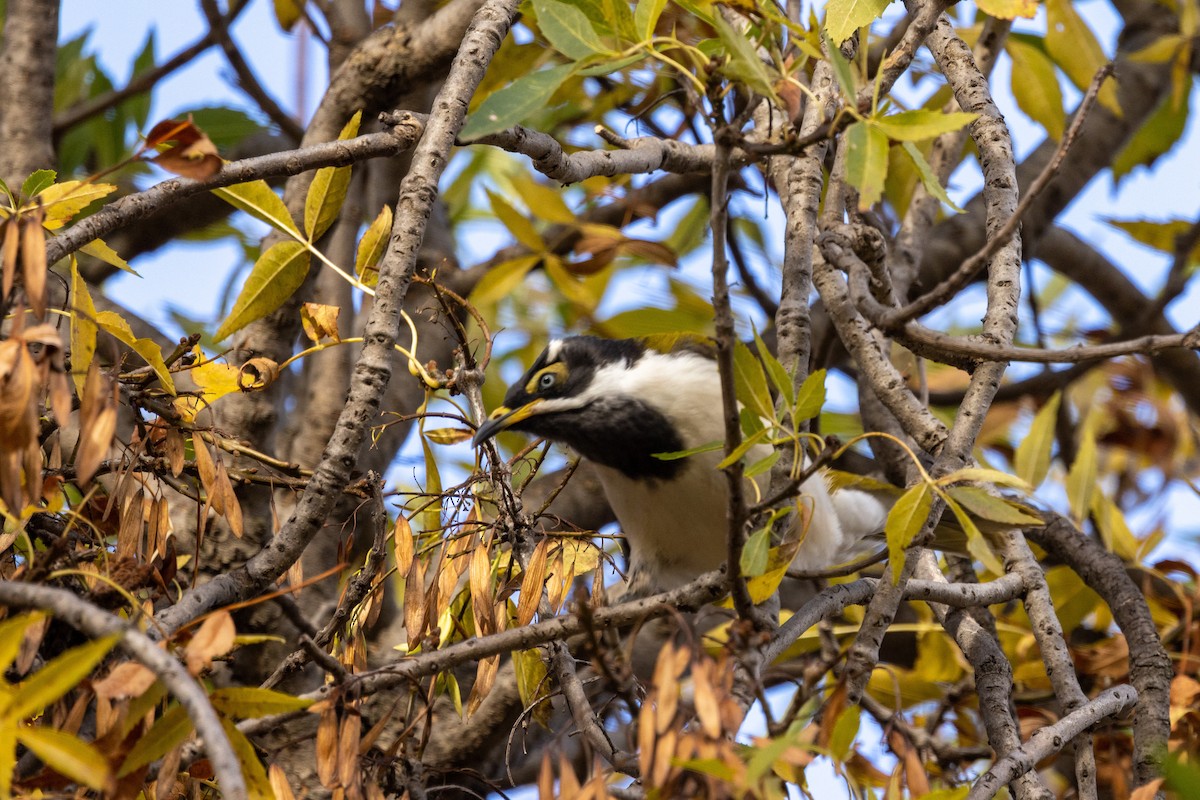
[617, 402]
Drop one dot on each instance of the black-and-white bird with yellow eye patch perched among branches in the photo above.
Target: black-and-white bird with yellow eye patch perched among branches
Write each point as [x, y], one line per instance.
[622, 405]
